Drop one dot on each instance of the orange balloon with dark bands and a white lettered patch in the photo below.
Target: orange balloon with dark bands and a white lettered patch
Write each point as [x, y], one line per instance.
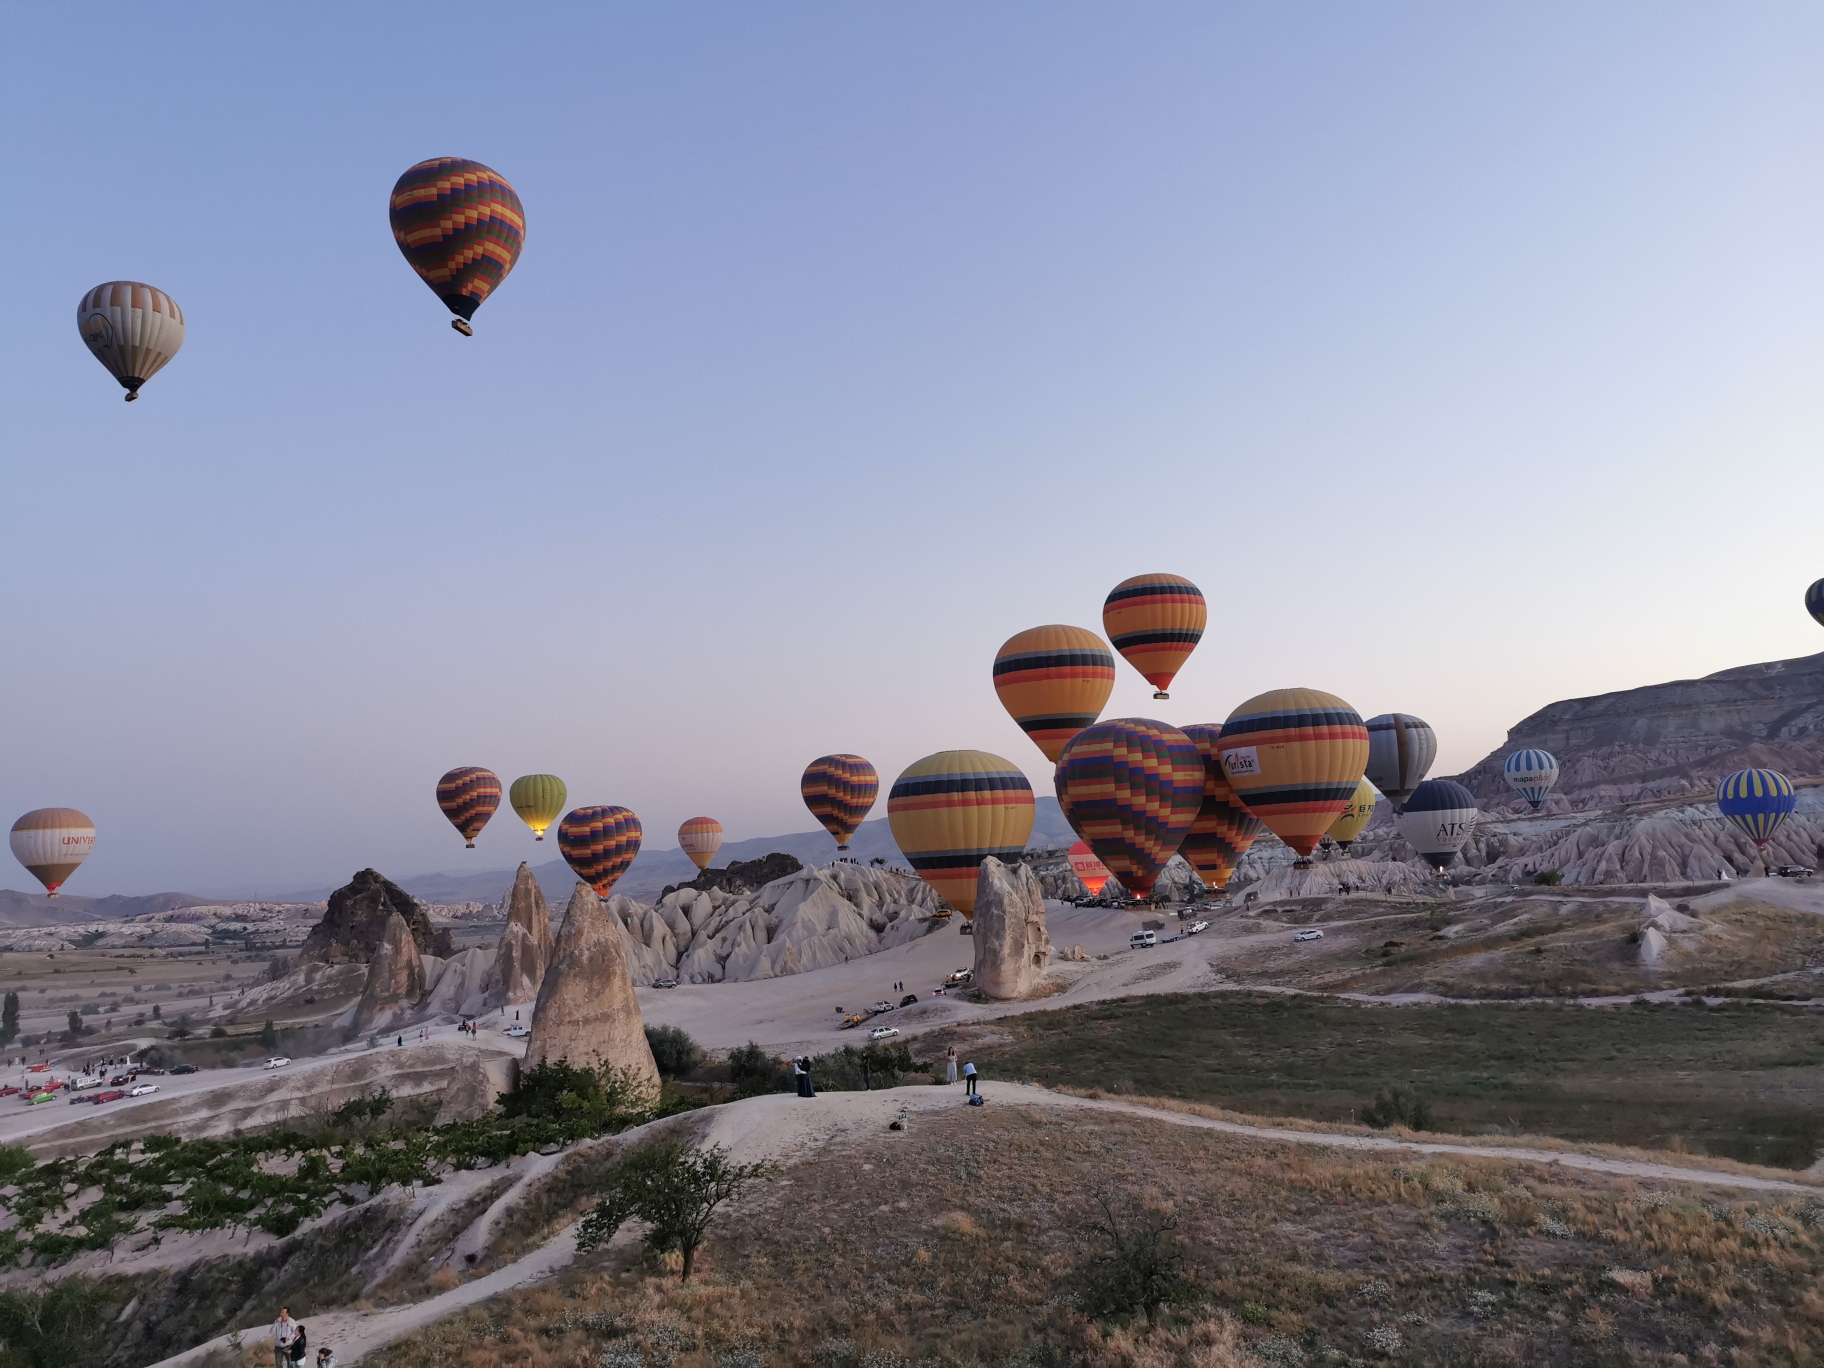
[1294, 758]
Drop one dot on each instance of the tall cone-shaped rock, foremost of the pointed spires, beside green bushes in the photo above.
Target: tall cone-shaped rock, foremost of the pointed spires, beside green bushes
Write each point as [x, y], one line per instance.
[586, 1010]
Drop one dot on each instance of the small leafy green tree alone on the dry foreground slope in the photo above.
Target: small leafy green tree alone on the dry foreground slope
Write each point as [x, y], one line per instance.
[676, 1192]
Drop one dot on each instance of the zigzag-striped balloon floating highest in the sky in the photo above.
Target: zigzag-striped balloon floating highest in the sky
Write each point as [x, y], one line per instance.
[461, 227]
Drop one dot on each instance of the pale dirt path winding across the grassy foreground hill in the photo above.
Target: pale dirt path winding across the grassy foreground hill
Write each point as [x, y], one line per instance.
[787, 1128]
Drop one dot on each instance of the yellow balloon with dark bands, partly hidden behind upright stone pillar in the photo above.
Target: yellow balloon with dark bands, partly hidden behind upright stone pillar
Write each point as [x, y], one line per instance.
[953, 811]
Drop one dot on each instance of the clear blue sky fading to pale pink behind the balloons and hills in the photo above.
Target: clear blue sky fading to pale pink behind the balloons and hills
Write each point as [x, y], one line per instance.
[1466, 358]
